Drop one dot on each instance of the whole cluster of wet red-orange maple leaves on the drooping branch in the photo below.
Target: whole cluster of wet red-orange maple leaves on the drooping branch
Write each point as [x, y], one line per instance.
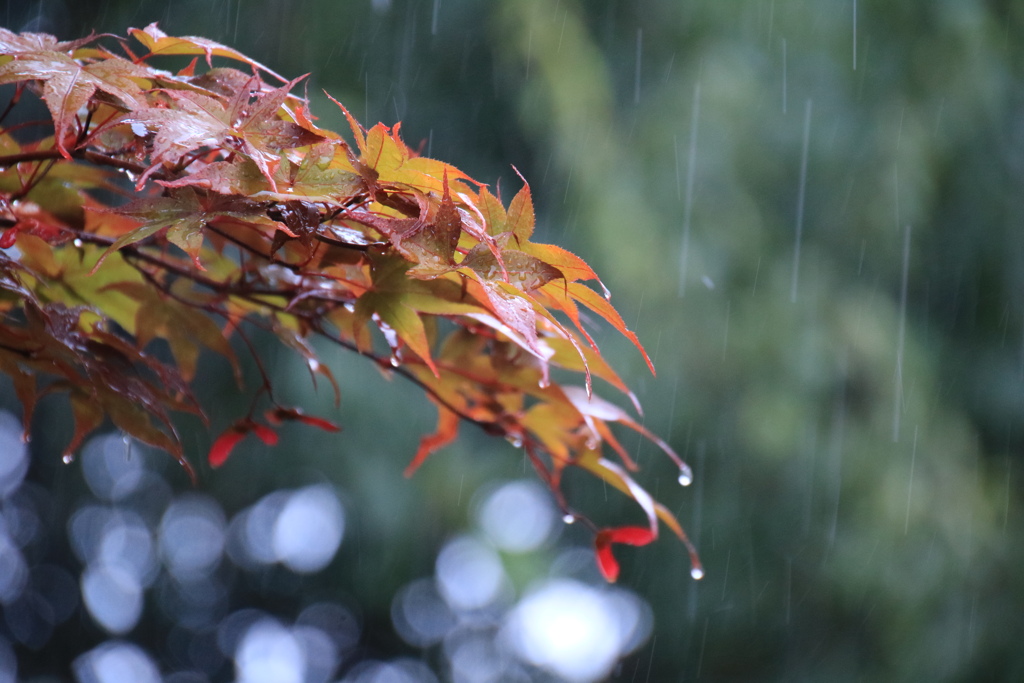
[184, 207]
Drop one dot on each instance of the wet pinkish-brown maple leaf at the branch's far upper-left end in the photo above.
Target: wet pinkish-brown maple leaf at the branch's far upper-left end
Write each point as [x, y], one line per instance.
[68, 86]
